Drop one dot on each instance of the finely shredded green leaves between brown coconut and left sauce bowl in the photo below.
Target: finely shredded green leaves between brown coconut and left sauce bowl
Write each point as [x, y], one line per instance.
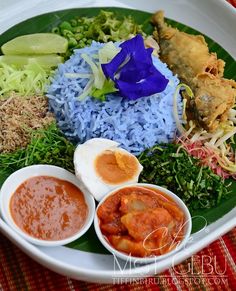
[47, 146]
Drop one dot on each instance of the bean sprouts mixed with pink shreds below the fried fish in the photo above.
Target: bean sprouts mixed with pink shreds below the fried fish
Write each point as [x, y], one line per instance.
[214, 149]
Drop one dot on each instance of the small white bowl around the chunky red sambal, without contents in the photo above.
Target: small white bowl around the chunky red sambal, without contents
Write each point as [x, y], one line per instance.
[151, 259]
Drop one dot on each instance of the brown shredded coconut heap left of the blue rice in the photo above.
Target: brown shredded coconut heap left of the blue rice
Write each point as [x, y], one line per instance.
[18, 116]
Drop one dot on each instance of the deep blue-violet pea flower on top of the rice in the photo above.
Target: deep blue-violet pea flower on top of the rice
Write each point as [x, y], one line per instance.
[133, 72]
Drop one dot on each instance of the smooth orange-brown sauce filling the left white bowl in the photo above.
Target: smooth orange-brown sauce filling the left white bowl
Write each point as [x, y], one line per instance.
[48, 208]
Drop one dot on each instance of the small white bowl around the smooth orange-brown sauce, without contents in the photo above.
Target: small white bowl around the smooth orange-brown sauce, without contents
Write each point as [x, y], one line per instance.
[20, 176]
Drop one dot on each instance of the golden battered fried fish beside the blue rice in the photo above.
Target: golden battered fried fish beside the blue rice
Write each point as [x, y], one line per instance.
[188, 56]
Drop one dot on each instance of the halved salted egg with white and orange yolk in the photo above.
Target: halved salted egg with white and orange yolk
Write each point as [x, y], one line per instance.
[101, 165]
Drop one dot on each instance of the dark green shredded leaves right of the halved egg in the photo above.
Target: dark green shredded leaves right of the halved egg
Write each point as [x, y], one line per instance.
[170, 166]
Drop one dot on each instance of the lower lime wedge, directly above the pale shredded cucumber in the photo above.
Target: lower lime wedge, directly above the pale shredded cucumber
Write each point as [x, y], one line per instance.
[45, 61]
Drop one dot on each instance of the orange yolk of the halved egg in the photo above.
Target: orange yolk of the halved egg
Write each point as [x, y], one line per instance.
[115, 167]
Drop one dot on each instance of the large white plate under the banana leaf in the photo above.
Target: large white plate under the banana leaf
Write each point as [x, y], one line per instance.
[217, 19]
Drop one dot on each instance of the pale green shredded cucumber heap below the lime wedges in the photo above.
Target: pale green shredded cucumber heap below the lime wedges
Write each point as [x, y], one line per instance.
[32, 79]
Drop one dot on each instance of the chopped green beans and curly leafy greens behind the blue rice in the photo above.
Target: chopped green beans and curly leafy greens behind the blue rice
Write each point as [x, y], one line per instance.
[104, 27]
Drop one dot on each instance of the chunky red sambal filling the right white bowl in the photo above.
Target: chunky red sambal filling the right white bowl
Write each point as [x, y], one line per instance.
[141, 221]
